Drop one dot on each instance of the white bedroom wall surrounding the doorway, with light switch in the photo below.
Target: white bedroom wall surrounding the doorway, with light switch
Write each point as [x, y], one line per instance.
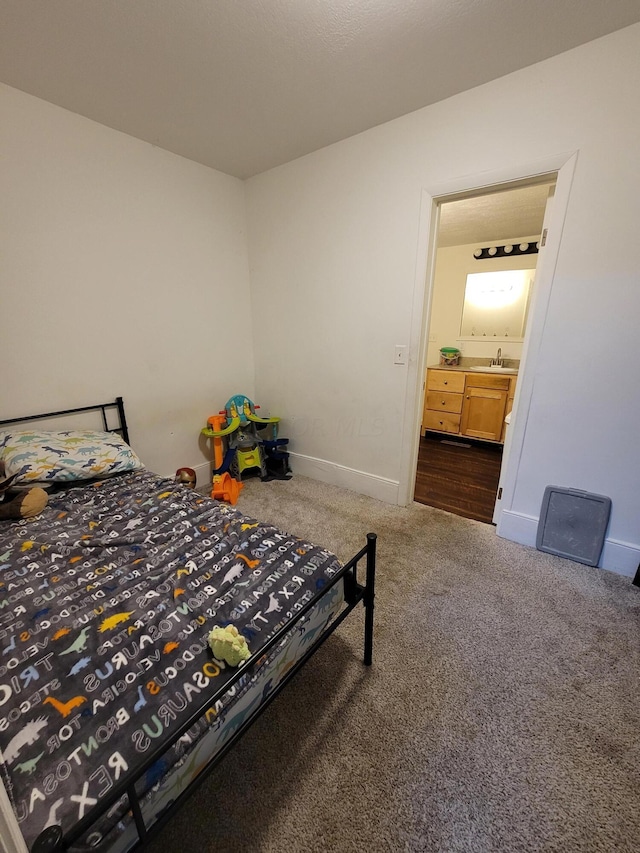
[333, 249]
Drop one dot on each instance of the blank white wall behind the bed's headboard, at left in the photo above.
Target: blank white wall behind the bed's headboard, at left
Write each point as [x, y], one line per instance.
[124, 271]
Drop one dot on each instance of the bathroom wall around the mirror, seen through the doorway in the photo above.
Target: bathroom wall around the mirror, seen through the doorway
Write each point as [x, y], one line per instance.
[453, 264]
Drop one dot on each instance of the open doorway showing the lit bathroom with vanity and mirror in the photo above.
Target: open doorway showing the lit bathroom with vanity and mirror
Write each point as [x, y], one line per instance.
[481, 242]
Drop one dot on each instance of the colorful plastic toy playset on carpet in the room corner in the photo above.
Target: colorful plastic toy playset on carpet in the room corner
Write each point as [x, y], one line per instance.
[239, 446]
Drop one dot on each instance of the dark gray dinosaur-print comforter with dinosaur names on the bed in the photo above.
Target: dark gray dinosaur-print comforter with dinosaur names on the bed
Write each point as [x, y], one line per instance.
[106, 602]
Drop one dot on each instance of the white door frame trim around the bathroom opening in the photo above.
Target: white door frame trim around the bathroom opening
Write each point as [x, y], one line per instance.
[564, 165]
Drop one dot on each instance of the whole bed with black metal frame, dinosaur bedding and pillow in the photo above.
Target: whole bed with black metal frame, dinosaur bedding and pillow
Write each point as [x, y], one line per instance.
[112, 706]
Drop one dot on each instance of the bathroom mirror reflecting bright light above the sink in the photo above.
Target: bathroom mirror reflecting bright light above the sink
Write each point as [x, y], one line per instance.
[496, 305]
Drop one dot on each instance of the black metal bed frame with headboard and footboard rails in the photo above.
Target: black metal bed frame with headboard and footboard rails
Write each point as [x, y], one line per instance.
[54, 840]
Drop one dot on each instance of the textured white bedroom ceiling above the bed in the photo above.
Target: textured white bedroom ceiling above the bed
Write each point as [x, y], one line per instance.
[244, 85]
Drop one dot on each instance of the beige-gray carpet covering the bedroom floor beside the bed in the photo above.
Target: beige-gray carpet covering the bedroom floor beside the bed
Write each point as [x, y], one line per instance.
[501, 712]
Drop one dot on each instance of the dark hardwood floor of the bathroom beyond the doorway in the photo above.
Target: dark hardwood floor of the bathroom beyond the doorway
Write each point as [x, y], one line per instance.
[458, 475]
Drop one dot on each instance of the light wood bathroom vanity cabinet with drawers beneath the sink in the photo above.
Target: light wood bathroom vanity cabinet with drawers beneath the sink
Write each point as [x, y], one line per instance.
[469, 403]
